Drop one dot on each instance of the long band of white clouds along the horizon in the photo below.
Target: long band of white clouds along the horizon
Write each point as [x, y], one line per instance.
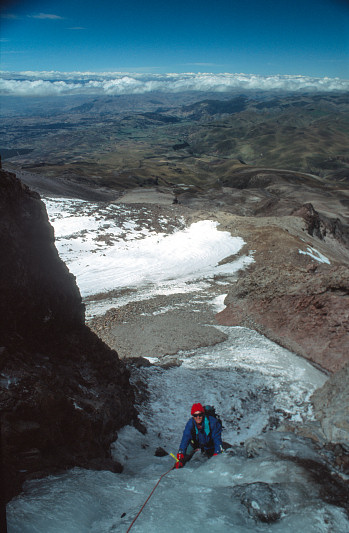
[113, 83]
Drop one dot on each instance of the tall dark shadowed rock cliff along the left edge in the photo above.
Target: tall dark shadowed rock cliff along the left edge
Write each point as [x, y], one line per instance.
[63, 392]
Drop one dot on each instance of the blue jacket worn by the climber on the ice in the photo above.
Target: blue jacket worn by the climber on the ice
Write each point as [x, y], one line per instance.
[208, 438]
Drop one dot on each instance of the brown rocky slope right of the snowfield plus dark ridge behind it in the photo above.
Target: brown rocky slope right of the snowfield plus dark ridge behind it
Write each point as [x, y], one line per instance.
[292, 297]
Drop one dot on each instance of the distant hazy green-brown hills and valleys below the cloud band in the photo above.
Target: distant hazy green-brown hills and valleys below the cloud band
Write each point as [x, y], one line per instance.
[171, 139]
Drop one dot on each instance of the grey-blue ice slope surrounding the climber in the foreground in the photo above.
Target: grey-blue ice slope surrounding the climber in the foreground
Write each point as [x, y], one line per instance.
[249, 379]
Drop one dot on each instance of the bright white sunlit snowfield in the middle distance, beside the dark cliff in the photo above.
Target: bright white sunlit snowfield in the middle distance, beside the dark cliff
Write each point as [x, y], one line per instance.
[108, 250]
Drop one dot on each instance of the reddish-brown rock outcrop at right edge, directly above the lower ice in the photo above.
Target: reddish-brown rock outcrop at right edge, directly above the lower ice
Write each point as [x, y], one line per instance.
[306, 311]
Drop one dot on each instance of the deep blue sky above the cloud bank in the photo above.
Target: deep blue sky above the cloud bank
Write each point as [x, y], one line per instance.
[263, 37]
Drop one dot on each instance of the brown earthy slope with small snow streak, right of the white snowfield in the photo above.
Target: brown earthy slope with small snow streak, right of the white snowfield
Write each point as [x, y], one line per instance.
[297, 290]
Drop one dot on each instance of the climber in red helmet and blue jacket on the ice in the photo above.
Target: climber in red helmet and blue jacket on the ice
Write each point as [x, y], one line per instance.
[202, 431]
